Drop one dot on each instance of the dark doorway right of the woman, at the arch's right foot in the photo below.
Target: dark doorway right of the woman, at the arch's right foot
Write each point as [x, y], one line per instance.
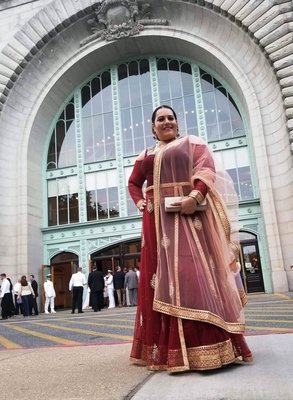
[251, 270]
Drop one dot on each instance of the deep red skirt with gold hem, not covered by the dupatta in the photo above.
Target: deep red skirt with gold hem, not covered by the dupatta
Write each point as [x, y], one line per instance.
[156, 342]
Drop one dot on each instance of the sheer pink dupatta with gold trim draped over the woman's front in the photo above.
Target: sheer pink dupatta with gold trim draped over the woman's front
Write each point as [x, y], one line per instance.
[196, 255]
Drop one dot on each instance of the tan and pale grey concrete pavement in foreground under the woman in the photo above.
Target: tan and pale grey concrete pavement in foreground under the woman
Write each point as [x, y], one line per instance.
[103, 372]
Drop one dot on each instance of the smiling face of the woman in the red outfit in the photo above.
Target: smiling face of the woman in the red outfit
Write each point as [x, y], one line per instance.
[165, 125]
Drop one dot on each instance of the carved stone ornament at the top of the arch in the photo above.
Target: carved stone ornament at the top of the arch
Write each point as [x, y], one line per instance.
[117, 19]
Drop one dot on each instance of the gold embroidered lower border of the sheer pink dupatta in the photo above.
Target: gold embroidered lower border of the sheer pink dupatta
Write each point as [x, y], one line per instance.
[198, 315]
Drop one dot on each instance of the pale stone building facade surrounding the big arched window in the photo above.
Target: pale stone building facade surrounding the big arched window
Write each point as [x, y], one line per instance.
[248, 43]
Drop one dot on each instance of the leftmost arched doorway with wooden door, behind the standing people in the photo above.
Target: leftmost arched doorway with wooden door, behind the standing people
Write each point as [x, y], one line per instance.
[61, 268]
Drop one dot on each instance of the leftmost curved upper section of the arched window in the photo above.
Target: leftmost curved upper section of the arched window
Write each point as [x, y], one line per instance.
[62, 147]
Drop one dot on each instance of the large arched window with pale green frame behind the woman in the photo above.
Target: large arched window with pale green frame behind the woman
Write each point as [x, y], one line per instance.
[203, 106]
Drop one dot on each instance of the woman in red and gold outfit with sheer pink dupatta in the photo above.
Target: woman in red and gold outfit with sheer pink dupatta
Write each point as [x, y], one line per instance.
[190, 299]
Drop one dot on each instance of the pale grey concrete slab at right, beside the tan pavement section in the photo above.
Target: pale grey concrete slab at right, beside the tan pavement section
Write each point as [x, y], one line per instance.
[269, 377]
